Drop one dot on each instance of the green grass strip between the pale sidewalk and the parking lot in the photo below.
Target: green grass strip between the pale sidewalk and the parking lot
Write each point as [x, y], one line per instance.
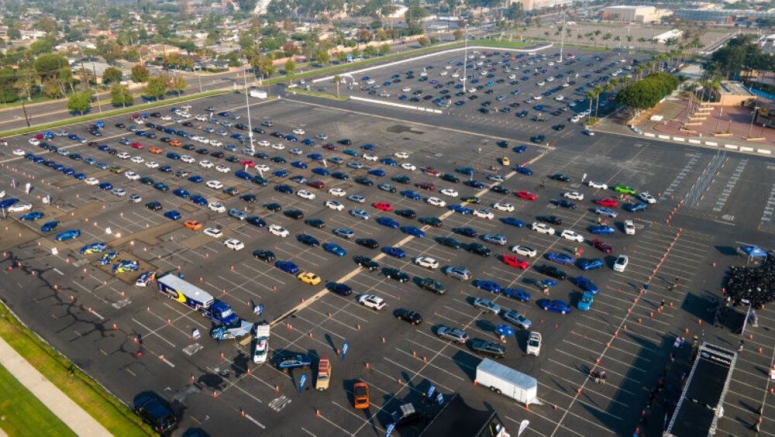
[116, 417]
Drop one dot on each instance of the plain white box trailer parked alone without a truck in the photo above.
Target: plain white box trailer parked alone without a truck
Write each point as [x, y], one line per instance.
[507, 381]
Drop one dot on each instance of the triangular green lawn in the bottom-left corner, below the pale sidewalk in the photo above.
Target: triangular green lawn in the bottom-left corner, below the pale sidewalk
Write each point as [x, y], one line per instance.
[23, 414]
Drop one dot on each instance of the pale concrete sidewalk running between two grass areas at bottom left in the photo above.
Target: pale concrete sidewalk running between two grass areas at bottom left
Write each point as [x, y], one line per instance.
[62, 406]
